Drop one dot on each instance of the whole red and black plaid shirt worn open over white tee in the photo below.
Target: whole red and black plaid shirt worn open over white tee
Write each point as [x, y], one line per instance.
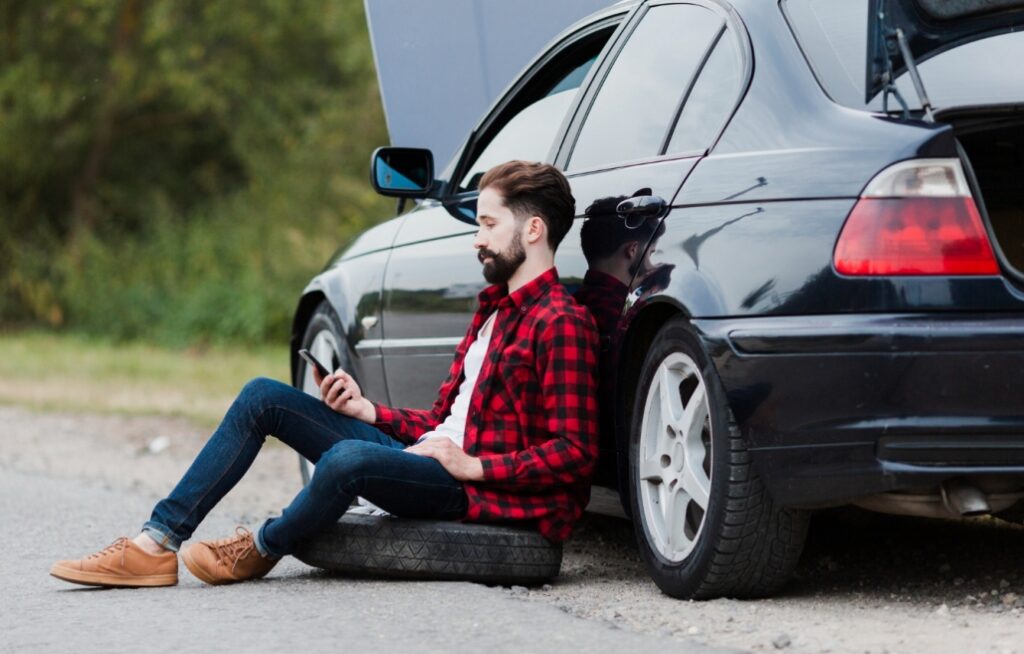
[533, 416]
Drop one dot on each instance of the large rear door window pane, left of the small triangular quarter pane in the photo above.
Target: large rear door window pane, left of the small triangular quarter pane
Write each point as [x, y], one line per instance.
[637, 103]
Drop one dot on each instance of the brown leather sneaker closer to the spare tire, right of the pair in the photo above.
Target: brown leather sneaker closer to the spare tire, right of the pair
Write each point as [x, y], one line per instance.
[229, 560]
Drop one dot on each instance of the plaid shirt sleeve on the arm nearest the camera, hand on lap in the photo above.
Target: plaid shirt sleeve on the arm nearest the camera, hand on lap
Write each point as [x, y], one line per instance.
[568, 371]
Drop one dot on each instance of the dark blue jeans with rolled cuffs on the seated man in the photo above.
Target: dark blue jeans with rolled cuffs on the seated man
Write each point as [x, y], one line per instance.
[353, 459]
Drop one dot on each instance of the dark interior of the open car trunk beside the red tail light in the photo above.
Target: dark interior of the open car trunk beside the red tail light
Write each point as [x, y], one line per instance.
[994, 143]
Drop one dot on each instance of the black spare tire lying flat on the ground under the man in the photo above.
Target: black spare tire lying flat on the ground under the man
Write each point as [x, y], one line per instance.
[398, 548]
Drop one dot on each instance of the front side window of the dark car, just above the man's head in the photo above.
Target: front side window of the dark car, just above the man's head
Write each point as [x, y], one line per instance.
[534, 118]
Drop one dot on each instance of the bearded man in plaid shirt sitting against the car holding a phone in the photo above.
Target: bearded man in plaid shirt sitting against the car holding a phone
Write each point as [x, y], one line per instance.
[513, 437]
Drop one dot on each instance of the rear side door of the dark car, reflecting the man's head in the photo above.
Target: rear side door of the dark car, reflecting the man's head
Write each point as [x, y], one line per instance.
[657, 107]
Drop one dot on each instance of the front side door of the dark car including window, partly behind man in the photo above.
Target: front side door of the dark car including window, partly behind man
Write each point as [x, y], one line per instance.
[434, 277]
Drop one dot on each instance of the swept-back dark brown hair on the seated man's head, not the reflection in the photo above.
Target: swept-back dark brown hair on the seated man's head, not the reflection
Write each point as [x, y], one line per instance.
[535, 190]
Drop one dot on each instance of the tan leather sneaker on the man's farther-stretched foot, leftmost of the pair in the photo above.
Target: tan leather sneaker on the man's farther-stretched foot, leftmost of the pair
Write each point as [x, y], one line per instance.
[122, 564]
